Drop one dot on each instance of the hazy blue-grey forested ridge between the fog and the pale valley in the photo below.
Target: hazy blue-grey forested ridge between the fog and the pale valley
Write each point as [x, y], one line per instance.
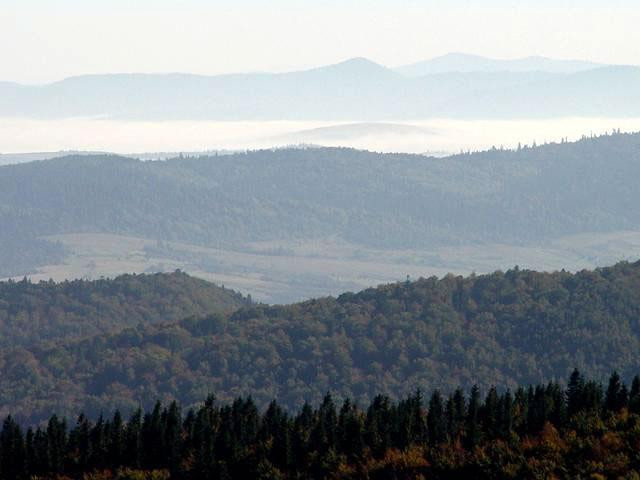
[379, 200]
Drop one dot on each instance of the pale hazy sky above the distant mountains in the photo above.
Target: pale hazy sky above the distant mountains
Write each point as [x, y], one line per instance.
[45, 40]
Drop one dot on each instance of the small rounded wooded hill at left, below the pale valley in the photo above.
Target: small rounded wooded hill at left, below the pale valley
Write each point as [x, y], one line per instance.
[46, 311]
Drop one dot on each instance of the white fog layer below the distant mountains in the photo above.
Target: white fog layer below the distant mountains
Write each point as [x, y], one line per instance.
[434, 136]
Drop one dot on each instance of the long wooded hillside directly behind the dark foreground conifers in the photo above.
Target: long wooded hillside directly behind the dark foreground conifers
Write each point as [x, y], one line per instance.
[501, 329]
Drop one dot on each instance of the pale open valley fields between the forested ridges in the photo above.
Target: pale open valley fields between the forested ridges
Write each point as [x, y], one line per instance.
[288, 271]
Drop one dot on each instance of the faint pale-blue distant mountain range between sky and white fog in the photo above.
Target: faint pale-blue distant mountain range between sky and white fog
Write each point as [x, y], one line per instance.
[453, 86]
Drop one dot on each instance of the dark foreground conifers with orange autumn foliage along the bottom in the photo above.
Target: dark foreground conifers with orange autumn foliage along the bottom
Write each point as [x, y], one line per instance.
[542, 431]
